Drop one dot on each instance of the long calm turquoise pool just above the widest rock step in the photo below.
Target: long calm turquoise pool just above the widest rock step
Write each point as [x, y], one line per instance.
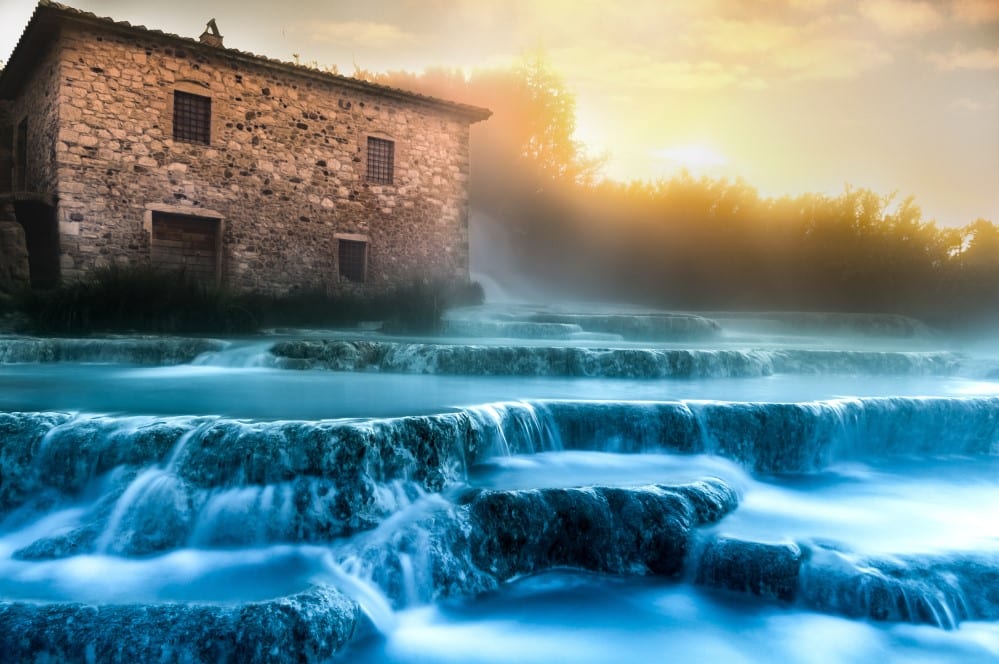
[265, 393]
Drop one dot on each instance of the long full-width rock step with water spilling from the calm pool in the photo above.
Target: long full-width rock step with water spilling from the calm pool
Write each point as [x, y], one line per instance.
[46, 455]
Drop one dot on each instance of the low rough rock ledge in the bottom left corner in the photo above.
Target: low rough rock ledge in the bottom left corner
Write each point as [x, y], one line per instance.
[308, 627]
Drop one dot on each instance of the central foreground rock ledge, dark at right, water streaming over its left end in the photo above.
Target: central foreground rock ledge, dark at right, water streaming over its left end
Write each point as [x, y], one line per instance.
[489, 537]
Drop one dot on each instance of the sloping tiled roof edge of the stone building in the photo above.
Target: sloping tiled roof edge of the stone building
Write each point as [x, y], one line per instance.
[49, 13]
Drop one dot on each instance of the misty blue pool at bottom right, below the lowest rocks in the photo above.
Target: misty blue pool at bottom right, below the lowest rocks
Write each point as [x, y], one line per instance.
[566, 616]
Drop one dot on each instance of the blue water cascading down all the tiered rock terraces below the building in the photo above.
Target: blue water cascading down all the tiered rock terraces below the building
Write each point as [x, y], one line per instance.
[754, 505]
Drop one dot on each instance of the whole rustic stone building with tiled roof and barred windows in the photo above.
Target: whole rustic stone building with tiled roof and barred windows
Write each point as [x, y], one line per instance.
[121, 144]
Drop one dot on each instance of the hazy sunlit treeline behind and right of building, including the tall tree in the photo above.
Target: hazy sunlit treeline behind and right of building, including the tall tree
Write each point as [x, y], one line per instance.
[697, 243]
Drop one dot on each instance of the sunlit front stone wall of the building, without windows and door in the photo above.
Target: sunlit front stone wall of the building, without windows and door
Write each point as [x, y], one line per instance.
[284, 170]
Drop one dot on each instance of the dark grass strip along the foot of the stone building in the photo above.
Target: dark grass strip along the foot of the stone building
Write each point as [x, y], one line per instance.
[142, 299]
